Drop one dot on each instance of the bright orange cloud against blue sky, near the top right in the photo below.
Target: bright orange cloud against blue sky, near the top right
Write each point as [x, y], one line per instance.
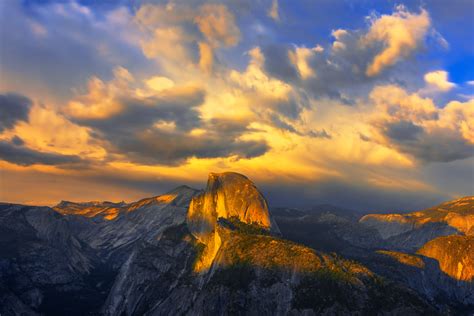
[400, 33]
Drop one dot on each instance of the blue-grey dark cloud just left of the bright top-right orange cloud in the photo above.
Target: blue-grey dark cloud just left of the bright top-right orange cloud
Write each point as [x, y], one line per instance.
[339, 72]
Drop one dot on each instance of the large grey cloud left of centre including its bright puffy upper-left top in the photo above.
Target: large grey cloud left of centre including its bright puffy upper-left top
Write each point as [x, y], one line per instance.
[159, 126]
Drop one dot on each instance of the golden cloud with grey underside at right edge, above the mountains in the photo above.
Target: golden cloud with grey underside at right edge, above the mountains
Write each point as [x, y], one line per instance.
[415, 126]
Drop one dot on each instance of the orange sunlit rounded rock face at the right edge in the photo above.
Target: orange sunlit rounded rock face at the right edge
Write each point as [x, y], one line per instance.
[455, 255]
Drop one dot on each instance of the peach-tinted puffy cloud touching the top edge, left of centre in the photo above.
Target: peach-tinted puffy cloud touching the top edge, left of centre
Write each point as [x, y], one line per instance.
[181, 34]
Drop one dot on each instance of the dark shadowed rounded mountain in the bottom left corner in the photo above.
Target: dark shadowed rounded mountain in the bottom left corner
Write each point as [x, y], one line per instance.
[42, 263]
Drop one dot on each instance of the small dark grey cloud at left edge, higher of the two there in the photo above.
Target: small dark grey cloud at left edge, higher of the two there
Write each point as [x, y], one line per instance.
[13, 108]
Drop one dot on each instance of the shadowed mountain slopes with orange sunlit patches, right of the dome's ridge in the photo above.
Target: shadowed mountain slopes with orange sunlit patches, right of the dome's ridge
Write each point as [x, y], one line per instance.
[389, 245]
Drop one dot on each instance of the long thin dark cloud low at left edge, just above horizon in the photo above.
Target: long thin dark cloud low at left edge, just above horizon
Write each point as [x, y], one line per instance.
[15, 152]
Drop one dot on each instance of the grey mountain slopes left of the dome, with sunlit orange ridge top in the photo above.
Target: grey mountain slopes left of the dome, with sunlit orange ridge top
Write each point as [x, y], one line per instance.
[63, 260]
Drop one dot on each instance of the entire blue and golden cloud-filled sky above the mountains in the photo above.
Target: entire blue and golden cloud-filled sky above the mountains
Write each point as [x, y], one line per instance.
[361, 104]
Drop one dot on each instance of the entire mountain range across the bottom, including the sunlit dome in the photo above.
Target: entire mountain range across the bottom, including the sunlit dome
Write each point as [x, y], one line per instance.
[221, 251]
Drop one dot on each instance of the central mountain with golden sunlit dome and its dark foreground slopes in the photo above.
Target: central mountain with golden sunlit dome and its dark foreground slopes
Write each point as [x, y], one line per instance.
[228, 259]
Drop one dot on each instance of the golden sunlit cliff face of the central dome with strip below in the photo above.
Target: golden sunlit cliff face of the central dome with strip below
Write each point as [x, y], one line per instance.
[227, 195]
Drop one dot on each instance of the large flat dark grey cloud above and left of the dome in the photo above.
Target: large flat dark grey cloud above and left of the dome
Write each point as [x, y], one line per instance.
[133, 131]
